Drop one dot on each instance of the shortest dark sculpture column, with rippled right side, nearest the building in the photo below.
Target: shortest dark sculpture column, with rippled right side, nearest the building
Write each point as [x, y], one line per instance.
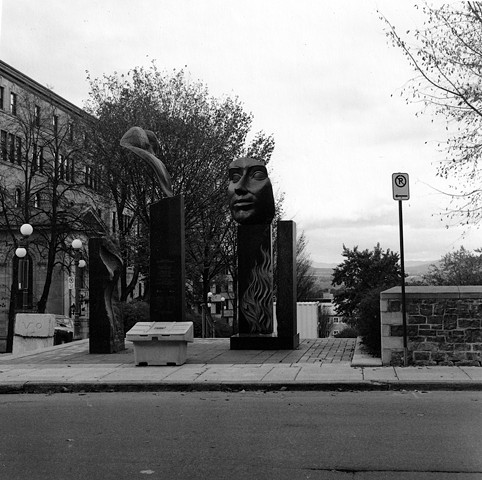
[106, 326]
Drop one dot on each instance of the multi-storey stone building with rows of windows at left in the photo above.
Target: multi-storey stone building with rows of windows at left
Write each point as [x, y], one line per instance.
[46, 181]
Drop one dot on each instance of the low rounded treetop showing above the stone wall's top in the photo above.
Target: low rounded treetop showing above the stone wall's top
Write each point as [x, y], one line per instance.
[462, 267]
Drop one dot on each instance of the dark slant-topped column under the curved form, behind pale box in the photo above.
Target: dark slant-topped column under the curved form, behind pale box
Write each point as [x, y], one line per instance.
[167, 261]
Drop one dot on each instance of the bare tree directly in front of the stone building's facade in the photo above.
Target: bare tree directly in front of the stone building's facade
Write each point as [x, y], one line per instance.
[42, 183]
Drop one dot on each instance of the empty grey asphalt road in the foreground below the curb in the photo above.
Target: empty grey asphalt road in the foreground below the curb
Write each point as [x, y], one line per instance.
[246, 435]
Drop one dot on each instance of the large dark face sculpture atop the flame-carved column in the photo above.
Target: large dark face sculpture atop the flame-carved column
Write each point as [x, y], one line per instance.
[250, 192]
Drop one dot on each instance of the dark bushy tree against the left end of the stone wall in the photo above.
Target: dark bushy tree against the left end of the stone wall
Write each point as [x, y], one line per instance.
[362, 276]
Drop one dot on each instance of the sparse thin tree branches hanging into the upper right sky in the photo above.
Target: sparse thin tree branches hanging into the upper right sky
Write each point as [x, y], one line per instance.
[447, 58]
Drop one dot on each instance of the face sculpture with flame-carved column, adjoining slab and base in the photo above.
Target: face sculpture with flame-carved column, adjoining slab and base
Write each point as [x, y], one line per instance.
[251, 202]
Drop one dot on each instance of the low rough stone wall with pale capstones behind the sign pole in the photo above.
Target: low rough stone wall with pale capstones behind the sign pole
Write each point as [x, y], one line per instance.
[444, 325]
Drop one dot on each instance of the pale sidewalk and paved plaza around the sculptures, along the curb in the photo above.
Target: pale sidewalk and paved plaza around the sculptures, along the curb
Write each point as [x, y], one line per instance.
[320, 364]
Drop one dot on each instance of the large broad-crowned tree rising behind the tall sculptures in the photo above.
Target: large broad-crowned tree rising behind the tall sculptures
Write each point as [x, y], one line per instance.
[198, 137]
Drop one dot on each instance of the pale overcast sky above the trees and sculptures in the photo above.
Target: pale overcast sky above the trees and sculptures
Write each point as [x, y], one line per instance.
[318, 75]
